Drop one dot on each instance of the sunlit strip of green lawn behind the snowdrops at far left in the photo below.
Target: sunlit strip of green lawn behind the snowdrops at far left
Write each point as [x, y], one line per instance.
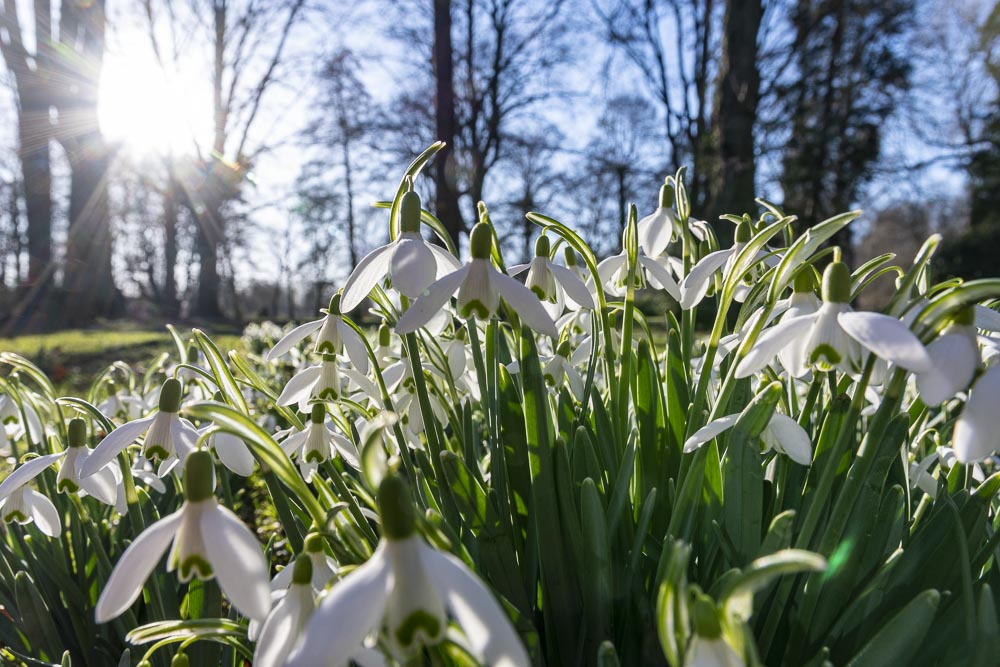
[73, 357]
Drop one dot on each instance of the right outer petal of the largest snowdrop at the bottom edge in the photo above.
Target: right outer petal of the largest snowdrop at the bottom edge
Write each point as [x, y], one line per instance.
[482, 619]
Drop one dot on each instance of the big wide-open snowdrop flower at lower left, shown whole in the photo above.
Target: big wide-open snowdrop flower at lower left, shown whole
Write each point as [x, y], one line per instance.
[209, 541]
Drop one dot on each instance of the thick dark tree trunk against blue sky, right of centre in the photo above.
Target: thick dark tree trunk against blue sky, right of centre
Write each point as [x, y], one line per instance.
[736, 109]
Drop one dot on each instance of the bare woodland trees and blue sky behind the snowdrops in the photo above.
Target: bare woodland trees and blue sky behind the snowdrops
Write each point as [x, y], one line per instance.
[574, 107]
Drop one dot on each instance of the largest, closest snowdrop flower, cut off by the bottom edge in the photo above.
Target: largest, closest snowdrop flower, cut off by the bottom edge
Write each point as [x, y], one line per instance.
[410, 590]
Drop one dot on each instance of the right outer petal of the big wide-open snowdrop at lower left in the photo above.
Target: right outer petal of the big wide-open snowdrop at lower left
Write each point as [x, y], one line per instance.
[237, 560]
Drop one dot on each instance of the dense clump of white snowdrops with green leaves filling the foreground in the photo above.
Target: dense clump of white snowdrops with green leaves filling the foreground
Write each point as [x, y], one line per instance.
[514, 472]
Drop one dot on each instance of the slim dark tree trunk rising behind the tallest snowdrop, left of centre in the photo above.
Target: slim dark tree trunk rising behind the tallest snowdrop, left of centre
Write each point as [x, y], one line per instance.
[446, 195]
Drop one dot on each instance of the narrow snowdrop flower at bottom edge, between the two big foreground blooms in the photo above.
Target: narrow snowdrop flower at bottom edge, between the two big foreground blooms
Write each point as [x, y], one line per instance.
[284, 625]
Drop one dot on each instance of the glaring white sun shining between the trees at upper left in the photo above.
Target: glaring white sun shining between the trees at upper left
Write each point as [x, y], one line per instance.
[147, 108]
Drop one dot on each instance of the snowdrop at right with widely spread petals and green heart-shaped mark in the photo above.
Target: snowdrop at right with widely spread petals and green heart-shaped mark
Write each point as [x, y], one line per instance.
[834, 335]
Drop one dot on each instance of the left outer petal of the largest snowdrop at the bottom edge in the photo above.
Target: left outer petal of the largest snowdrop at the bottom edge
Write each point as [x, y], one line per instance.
[345, 616]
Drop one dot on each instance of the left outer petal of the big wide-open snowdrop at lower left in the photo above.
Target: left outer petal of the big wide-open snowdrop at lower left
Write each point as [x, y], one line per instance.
[135, 566]
